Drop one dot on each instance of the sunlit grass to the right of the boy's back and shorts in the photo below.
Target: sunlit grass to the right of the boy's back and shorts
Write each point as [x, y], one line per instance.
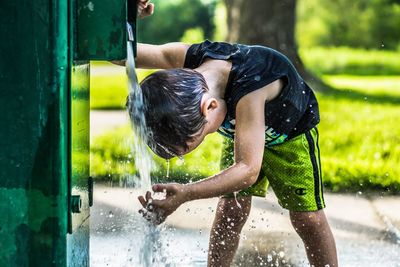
[360, 136]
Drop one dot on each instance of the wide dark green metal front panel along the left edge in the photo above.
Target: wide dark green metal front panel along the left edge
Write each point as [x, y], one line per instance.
[33, 154]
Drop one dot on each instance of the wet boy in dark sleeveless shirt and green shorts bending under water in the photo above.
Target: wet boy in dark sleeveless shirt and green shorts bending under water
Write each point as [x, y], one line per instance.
[255, 97]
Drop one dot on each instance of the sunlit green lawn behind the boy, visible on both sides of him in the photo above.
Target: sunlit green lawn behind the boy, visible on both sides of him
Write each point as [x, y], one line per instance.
[359, 140]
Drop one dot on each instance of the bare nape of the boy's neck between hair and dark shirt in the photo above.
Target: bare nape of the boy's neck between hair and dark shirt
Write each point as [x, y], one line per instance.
[216, 73]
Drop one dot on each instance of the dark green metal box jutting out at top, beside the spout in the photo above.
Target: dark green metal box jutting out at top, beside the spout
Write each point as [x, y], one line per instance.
[100, 30]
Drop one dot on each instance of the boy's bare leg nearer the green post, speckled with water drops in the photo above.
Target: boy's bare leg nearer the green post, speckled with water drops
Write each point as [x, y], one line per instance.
[225, 232]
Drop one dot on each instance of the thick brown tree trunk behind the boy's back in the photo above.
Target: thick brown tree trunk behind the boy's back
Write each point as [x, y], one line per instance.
[270, 23]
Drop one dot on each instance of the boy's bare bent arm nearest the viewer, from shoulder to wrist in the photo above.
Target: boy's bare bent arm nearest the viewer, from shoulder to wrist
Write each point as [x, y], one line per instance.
[249, 150]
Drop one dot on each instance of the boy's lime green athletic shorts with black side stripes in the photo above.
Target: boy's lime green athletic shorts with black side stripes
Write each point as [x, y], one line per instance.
[293, 169]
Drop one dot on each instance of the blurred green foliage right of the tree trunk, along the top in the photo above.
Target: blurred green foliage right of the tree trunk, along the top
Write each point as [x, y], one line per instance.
[370, 24]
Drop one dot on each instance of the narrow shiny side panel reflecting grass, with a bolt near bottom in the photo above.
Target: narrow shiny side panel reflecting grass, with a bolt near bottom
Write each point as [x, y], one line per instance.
[78, 242]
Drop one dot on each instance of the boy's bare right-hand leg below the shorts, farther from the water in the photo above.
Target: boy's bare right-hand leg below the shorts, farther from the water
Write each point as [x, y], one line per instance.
[314, 230]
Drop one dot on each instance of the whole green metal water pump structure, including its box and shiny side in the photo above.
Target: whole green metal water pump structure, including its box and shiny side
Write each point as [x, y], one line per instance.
[44, 107]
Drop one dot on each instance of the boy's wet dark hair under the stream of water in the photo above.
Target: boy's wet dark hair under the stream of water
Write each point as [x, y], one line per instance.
[172, 100]
